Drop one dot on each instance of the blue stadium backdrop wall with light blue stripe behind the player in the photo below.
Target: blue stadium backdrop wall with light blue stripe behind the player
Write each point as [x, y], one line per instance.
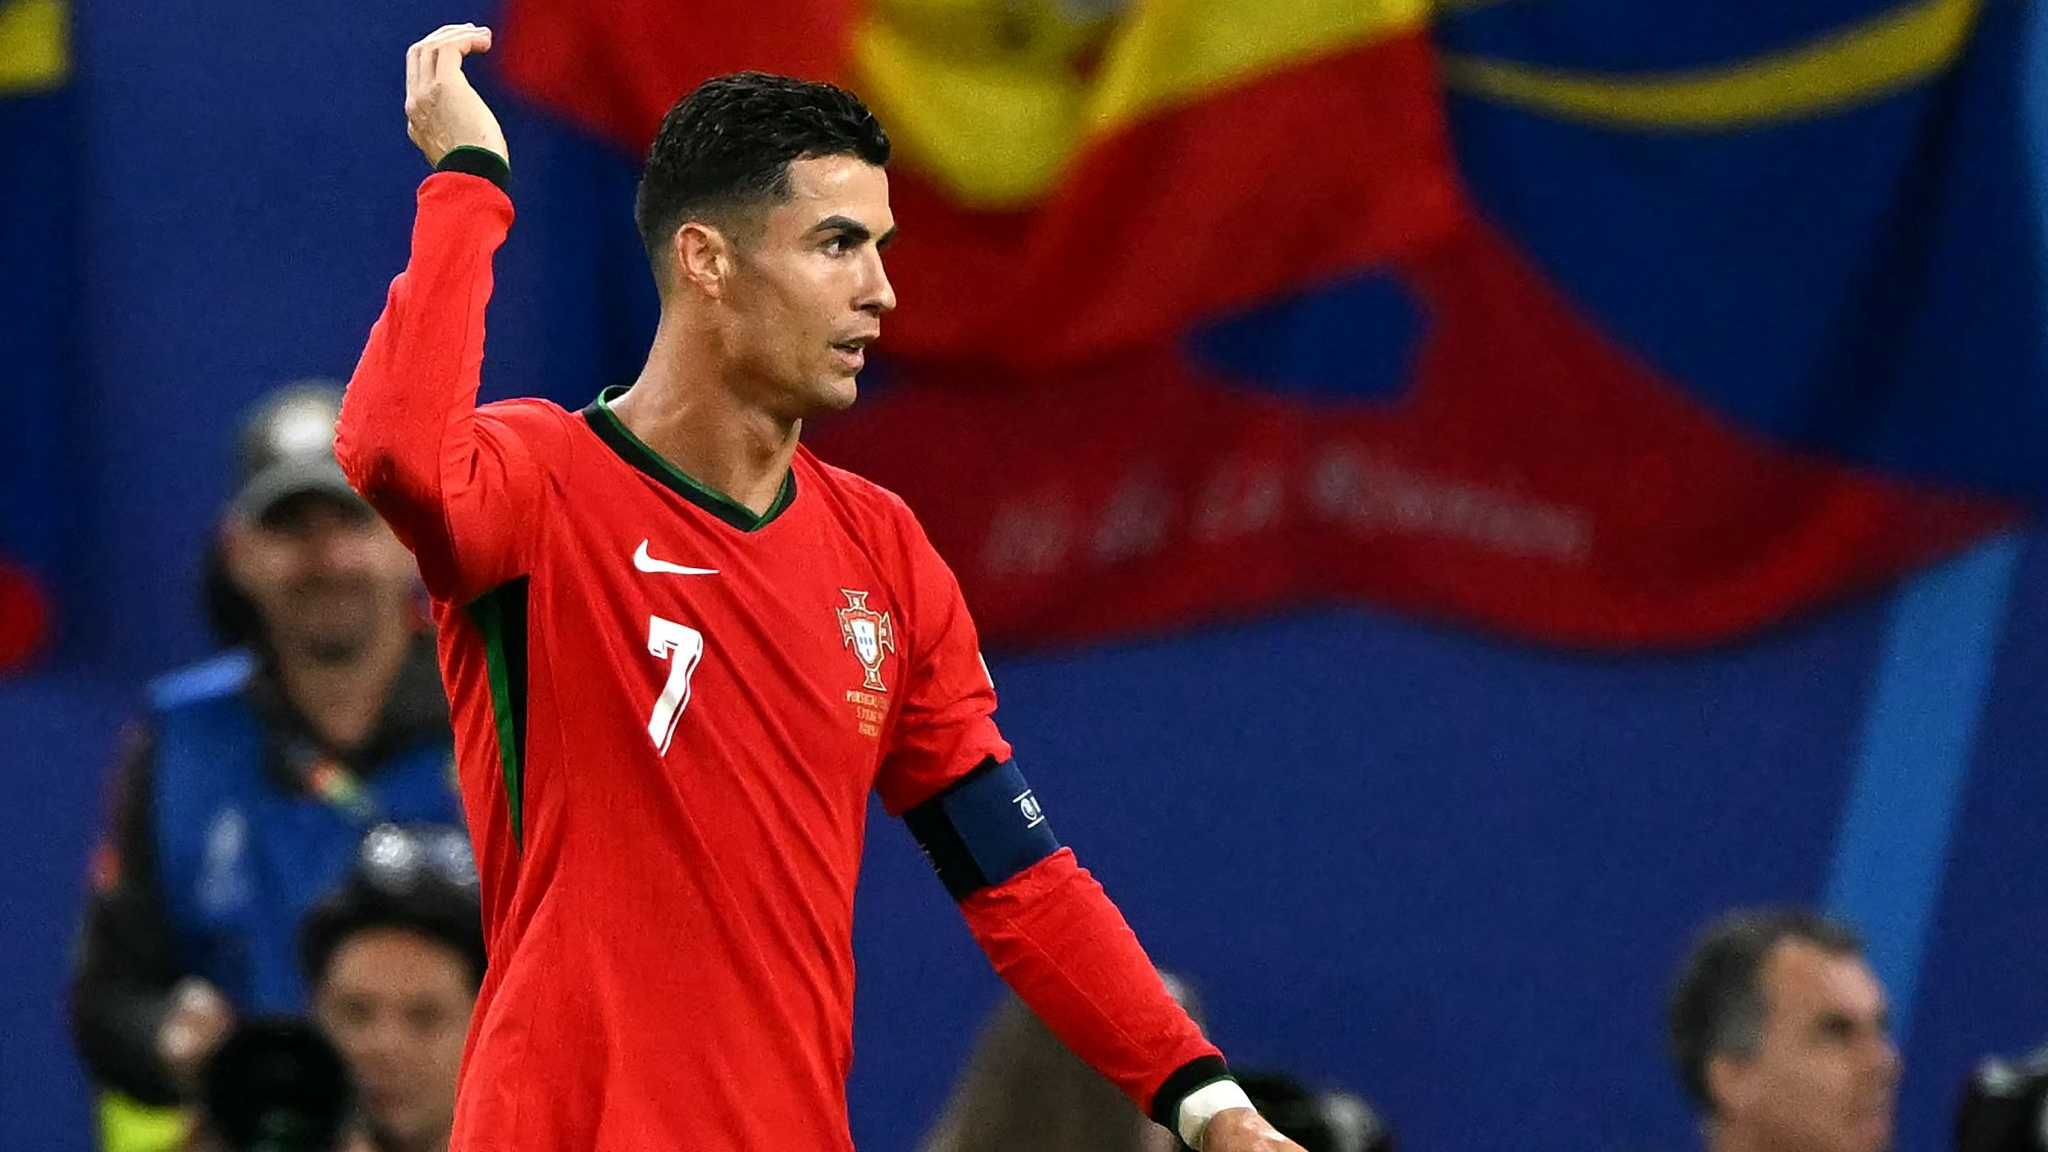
[1441, 870]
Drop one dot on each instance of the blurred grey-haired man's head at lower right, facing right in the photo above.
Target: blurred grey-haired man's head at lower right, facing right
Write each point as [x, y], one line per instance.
[1781, 1038]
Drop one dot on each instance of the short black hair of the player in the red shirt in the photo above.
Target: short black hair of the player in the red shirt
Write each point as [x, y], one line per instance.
[728, 147]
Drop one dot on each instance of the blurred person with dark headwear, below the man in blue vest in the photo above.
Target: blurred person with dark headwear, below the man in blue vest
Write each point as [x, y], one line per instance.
[396, 960]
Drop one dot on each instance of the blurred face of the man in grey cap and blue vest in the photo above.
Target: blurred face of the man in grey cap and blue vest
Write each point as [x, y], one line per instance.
[323, 573]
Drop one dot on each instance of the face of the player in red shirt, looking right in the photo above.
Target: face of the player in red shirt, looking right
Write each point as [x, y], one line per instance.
[806, 288]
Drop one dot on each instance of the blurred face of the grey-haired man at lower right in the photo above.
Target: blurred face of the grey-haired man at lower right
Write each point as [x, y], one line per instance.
[1826, 1075]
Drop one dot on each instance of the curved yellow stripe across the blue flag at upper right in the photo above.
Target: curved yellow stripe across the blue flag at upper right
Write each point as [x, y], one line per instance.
[1850, 67]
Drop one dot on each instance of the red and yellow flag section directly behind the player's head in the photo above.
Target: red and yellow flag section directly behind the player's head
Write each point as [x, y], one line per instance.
[1072, 179]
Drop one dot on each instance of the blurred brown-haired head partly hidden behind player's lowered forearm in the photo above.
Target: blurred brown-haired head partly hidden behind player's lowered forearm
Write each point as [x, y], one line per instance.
[1023, 1089]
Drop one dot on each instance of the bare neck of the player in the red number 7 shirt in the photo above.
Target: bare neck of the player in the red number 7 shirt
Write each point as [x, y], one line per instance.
[689, 413]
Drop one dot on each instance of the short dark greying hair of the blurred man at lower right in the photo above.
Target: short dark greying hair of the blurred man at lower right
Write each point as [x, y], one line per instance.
[1717, 1003]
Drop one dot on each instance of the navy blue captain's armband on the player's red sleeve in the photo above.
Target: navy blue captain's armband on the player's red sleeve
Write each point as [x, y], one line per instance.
[984, 829]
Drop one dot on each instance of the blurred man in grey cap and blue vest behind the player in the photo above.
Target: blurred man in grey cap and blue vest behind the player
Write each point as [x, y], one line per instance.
[253, 778]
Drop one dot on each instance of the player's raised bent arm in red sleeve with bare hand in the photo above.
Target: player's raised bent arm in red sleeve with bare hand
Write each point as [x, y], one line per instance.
[462, 487]
